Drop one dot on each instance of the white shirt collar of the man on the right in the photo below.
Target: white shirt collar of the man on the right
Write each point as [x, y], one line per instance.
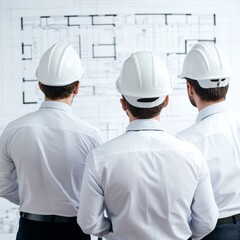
[210, 110]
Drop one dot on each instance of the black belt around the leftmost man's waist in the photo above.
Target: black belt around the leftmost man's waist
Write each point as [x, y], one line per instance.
[48, 218]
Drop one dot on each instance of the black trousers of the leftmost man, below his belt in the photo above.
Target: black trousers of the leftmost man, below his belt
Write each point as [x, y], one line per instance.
[34, 230]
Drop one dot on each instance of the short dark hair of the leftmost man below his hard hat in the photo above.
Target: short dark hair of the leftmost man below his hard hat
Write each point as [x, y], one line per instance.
[58, 92]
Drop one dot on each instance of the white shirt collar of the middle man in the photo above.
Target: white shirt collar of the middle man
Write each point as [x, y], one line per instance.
[144, 125]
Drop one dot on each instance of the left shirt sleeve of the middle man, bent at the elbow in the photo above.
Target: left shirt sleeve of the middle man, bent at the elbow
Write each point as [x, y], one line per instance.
[91, 209]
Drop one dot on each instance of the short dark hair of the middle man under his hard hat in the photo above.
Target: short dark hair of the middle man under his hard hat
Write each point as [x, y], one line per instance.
[144, 113]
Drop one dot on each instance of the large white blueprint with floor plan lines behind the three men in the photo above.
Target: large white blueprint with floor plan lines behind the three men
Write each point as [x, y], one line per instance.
[105, 33]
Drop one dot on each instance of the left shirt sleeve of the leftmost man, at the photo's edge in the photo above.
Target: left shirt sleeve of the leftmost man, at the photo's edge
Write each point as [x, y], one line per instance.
[8, 175]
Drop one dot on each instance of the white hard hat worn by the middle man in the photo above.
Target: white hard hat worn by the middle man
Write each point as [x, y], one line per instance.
[144, 75]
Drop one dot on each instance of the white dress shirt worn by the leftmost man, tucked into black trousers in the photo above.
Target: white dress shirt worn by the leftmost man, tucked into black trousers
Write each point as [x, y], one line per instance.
[42, 159]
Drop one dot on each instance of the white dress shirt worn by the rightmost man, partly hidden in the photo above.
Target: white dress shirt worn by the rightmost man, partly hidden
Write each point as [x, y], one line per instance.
[217, 135]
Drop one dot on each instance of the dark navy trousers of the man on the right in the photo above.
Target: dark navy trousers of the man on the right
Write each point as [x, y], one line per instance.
[229, 231]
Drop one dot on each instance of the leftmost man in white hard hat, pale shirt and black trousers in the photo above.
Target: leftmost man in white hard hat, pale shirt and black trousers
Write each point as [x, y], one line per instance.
[42, 154]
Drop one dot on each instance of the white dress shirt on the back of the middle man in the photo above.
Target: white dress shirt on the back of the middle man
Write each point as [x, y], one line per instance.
[149, 180]
